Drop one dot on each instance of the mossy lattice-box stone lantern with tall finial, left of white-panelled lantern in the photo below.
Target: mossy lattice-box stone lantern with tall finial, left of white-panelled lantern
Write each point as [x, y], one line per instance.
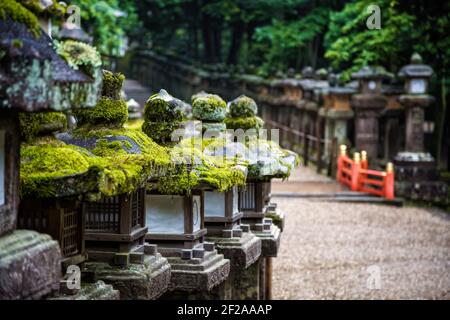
[115, 210]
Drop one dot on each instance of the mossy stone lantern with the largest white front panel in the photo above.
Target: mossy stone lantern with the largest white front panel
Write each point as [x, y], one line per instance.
[175, 212]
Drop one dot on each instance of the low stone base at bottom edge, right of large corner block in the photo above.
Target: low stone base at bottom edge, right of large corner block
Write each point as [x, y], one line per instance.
[91, 291]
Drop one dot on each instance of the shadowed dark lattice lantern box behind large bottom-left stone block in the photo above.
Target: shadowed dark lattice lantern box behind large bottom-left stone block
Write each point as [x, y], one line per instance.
[62, 219]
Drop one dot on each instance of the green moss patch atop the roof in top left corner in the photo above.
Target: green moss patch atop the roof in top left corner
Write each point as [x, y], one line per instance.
[17, 12]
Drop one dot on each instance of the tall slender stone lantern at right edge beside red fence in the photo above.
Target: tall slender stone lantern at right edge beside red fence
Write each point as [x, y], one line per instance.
[416, 174]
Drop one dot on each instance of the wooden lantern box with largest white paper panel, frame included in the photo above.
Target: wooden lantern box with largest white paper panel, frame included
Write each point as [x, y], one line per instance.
[176, 223]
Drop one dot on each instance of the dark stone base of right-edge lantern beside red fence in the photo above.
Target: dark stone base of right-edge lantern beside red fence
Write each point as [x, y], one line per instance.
[417, 178]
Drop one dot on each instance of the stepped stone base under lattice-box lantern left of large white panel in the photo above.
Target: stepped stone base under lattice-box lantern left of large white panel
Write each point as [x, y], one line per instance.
[146, 281]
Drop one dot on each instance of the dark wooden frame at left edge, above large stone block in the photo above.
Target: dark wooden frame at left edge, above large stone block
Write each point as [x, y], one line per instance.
[9, 169]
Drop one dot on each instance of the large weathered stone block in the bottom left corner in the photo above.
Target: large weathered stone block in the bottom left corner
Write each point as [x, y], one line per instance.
[30, 265]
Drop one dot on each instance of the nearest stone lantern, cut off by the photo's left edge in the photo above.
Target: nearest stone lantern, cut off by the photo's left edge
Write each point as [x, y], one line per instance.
[33, 78]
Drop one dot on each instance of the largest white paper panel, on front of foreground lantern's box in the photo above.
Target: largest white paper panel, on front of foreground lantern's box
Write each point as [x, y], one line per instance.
[165, 214]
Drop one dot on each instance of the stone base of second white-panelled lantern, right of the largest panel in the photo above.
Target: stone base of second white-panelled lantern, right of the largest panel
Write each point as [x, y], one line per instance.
[242, 252]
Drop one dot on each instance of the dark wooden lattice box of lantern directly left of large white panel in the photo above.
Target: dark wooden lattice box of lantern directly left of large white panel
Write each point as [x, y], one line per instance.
[115, 228]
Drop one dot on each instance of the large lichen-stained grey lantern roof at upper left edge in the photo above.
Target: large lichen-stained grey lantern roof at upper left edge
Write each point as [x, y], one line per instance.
[33, 75]
